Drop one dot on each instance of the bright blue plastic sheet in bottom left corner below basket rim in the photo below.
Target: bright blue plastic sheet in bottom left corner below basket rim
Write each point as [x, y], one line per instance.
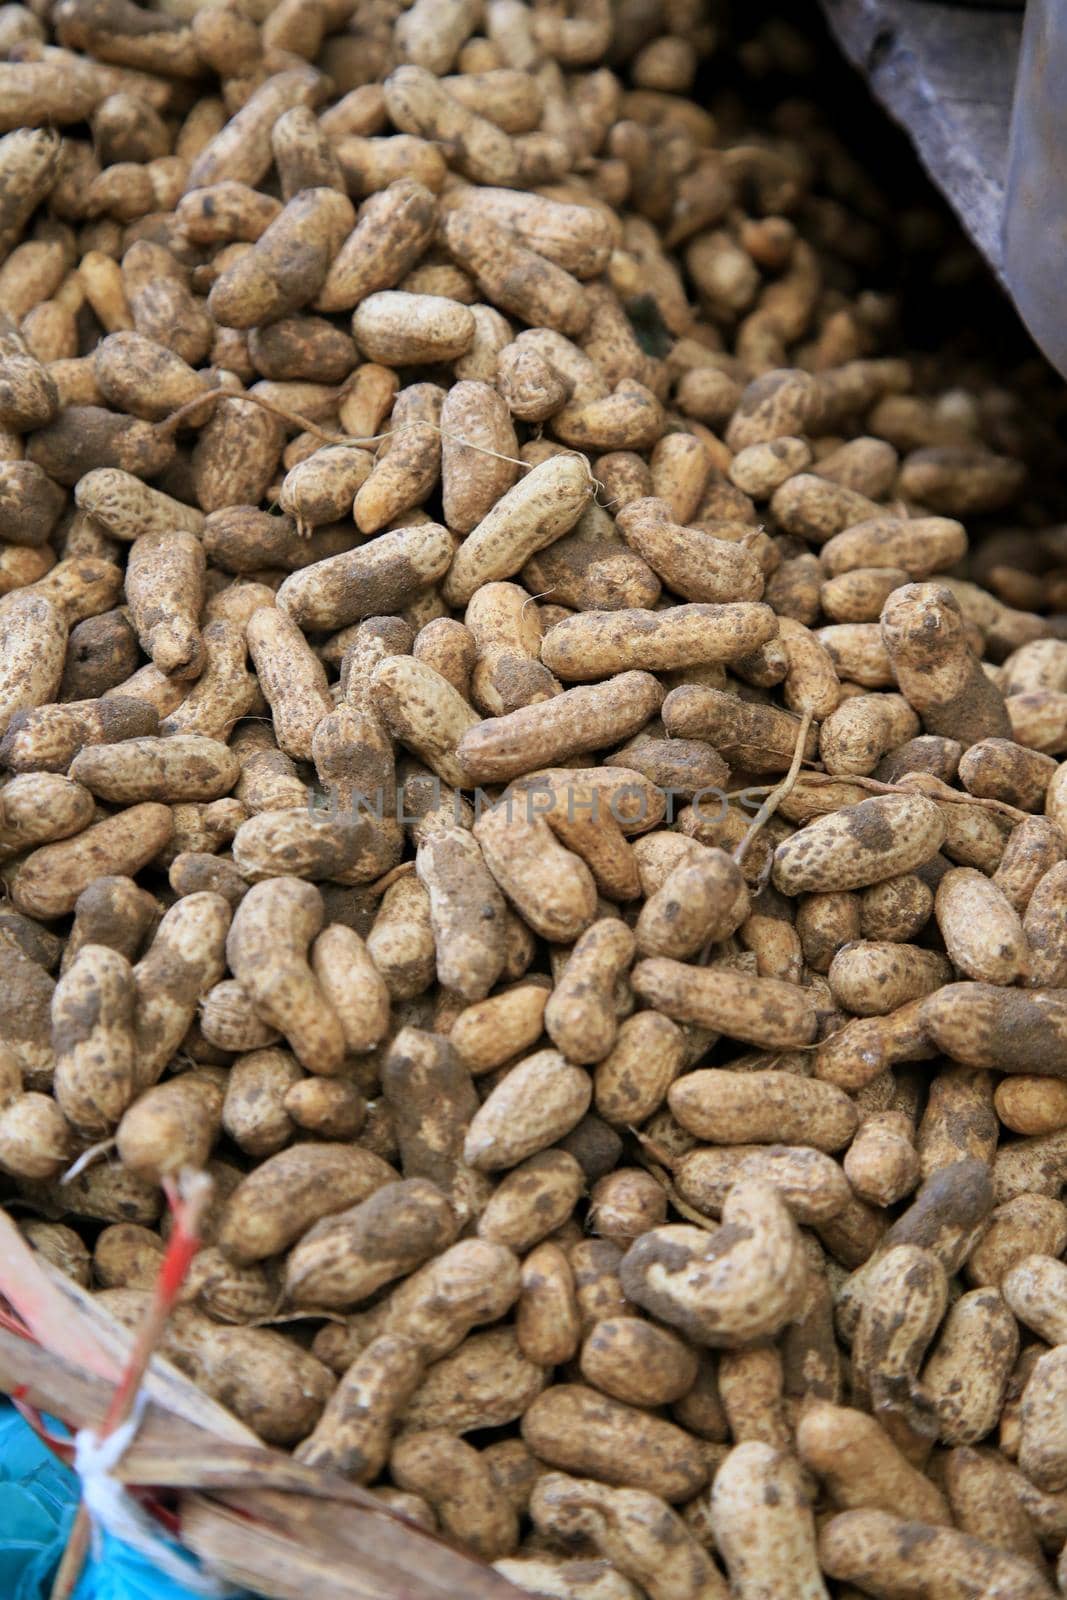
[38, 1503]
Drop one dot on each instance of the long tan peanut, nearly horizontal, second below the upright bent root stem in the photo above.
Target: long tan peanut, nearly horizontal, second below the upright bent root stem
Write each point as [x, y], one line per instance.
[757, 1010]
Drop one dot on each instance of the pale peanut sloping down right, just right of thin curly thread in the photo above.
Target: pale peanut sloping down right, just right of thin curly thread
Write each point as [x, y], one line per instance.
[693, 564]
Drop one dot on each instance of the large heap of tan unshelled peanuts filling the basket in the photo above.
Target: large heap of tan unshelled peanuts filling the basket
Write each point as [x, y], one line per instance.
[530, 751]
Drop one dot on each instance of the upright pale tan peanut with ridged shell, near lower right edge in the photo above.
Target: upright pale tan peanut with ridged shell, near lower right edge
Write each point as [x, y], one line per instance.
[969, 1369]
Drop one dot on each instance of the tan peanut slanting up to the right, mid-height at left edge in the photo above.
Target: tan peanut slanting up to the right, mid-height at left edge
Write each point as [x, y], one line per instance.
[49, 881]
